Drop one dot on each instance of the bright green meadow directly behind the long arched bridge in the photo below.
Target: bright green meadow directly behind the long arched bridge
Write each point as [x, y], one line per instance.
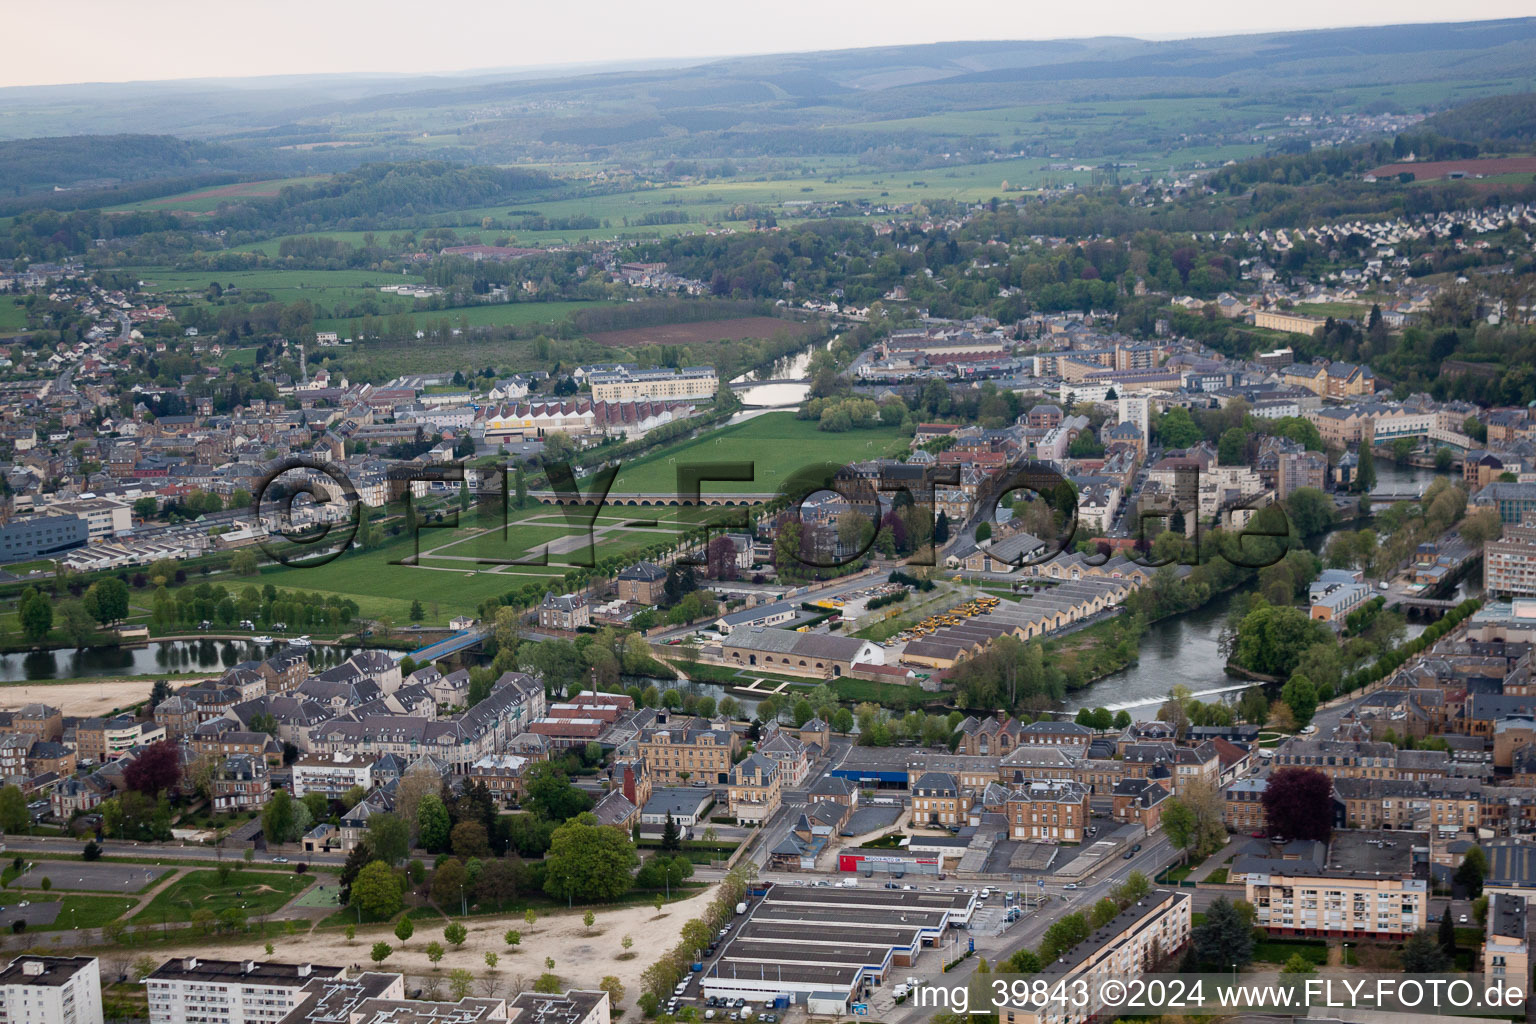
[776, 444]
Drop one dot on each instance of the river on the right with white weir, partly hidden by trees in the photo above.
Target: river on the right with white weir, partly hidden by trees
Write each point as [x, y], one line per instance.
[1188, 649]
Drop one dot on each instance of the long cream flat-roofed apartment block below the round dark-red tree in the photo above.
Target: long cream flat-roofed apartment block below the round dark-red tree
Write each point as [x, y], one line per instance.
[1362, 885]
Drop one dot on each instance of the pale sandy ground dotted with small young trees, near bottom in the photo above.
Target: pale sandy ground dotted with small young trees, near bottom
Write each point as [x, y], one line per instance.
[581, 959]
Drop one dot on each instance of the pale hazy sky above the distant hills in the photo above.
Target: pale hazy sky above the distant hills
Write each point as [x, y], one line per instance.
[111, 41]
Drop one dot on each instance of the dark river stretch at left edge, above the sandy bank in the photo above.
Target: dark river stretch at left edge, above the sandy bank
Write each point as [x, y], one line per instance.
[154, 659]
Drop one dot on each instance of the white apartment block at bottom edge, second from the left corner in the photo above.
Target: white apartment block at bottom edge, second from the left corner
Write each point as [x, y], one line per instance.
[196, 991]
